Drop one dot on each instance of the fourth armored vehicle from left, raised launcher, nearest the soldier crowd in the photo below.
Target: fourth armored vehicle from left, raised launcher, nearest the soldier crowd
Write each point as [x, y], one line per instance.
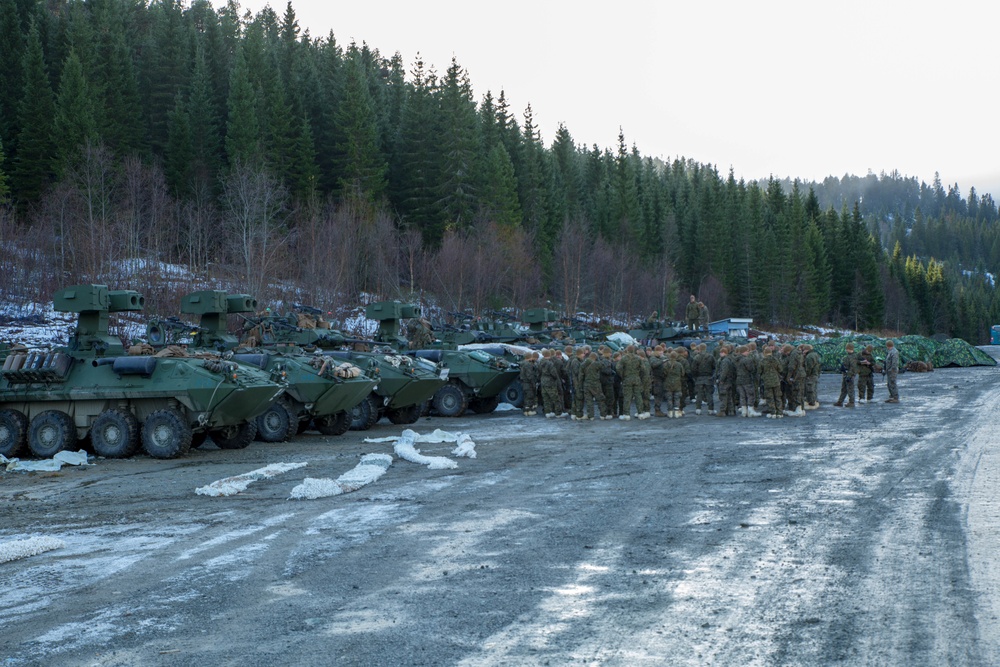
[475, 378]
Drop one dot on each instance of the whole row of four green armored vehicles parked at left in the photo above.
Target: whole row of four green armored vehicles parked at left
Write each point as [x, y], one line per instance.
[166, 398]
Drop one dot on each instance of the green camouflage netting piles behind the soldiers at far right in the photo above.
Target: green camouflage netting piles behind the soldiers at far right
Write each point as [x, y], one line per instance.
[952, 352]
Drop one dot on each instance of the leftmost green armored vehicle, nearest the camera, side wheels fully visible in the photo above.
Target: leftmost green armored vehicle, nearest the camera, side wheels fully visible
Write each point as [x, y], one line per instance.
[92, 388]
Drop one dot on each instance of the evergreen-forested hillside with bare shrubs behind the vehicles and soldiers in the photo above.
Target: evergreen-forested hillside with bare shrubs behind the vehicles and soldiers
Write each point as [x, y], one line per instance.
[137, 135]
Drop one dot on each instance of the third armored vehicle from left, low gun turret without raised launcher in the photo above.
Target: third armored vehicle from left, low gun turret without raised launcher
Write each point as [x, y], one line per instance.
[405, 383]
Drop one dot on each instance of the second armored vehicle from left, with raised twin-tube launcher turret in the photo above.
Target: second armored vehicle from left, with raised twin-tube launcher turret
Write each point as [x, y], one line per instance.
[319, 390]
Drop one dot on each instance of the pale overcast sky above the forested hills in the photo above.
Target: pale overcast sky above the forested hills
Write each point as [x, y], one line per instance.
[800, 89]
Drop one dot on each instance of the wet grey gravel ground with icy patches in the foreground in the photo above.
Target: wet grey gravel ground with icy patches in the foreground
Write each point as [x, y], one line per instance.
[864, 536]
